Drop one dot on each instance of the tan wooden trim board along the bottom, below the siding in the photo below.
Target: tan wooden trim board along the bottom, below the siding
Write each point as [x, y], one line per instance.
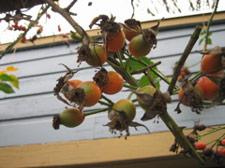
[139, 150]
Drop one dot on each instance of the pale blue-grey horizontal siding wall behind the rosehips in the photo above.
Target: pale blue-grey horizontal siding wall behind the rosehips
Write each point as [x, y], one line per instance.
[26, 116]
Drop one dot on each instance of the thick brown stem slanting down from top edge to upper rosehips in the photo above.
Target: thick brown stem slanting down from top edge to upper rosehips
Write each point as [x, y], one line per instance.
[73, 23]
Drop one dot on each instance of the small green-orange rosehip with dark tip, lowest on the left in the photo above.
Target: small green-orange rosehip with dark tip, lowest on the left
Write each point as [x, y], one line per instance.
[70, 117]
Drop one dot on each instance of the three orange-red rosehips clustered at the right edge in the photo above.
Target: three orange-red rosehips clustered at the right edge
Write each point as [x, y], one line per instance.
[209, 86]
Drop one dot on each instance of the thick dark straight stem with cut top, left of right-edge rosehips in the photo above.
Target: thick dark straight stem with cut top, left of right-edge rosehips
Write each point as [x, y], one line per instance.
[179, 65]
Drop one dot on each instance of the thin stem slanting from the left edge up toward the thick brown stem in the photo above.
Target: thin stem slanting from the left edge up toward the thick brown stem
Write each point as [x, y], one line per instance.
[21, 36]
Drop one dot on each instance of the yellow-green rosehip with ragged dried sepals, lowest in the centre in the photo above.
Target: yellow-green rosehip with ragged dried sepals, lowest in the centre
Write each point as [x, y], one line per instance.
[121, 117]
